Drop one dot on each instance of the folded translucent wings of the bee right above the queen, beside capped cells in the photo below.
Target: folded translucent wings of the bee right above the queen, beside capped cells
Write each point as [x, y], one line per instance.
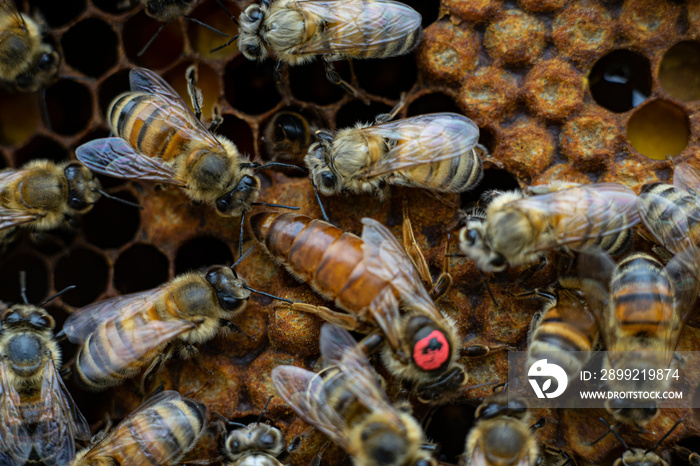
[424, 139]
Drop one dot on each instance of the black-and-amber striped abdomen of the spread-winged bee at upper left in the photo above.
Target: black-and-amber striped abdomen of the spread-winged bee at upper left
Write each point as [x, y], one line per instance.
[133, 115]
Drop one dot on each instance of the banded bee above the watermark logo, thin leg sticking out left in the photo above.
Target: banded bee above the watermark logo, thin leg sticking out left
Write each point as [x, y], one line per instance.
[565, 331]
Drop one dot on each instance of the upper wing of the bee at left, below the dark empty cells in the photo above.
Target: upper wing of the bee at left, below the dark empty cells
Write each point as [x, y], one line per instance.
[83, 322]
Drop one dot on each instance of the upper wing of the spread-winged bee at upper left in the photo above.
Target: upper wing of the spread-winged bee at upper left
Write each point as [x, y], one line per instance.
[174, 112]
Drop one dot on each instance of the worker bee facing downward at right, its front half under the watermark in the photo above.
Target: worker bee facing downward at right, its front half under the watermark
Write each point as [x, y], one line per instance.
[641, 308]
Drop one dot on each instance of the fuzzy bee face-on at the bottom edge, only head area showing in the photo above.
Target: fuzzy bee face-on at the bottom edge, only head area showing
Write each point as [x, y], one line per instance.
[255, 444]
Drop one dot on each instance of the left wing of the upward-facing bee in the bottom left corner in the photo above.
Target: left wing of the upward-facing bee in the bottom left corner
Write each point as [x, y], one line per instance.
[15, 443]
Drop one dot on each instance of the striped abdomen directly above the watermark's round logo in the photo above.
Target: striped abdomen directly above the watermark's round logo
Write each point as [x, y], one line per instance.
[566, 327]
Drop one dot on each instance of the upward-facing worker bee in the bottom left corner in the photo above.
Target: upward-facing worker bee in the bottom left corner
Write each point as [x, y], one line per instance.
[37, 413]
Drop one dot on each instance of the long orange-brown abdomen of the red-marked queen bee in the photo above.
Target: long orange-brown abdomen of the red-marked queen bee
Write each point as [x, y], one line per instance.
[325, 257]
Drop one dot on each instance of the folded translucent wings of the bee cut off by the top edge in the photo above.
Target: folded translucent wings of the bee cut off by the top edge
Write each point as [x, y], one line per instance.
[356, 25]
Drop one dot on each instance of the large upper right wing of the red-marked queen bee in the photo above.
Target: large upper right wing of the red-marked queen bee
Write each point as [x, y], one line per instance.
[387, 259]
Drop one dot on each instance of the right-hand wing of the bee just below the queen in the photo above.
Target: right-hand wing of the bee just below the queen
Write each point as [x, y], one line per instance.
[339, 348]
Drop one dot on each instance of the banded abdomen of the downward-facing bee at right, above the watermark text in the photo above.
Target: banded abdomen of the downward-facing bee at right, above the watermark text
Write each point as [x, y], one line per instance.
[642, 299]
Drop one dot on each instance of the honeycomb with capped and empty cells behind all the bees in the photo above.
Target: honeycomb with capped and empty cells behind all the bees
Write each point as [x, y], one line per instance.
[581, 91]
